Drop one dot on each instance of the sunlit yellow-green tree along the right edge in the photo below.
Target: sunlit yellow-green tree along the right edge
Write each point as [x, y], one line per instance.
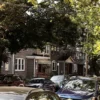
[87, 15]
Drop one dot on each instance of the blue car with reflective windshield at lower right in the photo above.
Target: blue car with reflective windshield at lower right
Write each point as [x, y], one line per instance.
[79, 88]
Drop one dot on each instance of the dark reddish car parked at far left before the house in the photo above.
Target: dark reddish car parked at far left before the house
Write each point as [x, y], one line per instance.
[12, 80]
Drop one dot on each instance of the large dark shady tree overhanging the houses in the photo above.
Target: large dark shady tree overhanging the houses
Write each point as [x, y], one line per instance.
[25, 26]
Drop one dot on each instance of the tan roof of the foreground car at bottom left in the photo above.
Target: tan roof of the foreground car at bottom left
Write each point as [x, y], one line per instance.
[18, 90]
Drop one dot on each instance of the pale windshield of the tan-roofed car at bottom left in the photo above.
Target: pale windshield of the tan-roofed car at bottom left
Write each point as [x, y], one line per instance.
[4, 96]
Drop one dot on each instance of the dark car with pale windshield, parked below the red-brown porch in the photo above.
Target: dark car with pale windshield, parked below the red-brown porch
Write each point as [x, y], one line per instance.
[42, 83]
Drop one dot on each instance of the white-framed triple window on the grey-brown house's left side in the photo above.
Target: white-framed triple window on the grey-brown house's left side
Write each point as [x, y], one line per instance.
[19, 64]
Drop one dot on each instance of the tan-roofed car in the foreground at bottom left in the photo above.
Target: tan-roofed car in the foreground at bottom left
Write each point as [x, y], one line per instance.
[26, 93]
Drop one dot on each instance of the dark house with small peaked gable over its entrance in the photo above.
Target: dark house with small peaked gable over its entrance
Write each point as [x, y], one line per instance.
[68, 62]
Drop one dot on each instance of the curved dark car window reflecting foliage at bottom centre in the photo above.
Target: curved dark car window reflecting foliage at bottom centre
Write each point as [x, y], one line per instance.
[43, 96]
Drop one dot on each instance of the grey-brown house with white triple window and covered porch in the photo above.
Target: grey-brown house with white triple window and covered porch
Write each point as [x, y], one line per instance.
[29, 63]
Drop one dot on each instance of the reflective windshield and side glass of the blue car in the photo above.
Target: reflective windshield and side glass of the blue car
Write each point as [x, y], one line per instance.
[78, 84]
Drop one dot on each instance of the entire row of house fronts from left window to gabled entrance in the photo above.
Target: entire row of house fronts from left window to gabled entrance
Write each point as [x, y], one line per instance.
[36, 63]
